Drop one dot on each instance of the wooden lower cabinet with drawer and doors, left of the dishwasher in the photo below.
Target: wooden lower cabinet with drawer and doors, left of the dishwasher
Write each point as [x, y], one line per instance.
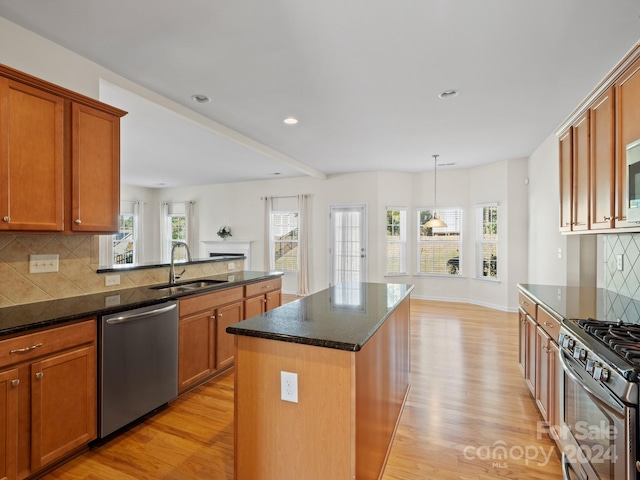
[48, 397]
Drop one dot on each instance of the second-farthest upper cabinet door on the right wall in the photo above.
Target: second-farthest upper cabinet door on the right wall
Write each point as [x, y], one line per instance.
[580, 174]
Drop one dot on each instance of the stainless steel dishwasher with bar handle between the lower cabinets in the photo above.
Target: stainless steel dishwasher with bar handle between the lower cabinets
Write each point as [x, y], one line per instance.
[138, 364]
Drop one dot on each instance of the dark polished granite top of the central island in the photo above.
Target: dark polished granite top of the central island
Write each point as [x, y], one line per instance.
[343, 317]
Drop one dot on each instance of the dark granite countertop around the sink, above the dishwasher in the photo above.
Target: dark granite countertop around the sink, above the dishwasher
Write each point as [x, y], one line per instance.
[21, 318]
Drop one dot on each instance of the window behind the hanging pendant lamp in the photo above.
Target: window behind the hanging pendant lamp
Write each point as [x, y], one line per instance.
[439, 248]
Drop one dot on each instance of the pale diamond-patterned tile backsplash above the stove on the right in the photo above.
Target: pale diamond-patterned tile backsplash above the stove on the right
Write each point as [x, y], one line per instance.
[626, 281]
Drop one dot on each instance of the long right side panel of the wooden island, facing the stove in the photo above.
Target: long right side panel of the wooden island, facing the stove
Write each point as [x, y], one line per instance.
[382, 382]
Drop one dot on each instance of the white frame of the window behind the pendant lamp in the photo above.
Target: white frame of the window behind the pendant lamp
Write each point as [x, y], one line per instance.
[447, 214]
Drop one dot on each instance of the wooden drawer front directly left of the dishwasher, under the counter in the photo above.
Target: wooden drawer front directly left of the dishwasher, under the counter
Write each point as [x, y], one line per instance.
[34, 345]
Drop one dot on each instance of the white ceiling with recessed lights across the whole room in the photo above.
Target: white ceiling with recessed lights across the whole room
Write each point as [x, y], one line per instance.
[362, 76]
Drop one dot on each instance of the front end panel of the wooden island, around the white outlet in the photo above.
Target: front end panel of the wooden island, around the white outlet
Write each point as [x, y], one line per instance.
[312, 439]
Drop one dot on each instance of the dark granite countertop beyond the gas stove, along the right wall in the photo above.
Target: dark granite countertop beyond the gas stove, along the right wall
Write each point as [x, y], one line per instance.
[584, 302]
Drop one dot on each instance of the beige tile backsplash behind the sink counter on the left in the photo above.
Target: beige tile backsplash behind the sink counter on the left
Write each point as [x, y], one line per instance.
[76, 275]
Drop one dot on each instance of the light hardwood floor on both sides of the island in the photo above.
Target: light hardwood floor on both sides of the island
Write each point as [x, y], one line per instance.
[467, 400]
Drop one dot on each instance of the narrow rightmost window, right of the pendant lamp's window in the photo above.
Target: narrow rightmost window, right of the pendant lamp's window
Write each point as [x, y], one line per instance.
[487, 241]
